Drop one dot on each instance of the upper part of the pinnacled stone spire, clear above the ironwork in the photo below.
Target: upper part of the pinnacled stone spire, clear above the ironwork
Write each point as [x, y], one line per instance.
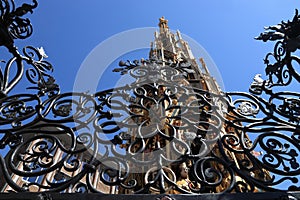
[169, 46]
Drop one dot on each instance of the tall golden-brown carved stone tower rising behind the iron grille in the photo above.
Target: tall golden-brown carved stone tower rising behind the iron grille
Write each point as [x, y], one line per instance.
[178, 122]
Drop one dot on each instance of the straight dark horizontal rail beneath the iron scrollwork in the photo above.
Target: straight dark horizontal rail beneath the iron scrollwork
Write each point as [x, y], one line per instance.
[90, 196]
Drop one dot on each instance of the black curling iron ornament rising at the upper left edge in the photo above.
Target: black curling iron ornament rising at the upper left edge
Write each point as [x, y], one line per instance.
[13, 26]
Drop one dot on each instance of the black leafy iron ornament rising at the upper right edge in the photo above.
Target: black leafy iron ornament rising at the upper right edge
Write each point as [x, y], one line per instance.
[288, 41]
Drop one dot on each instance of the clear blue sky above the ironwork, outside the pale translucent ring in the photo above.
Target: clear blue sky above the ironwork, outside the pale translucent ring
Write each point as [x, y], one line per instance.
[69, 30]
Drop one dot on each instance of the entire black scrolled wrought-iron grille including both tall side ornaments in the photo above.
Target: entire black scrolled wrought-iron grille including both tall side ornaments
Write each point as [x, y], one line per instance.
[119, 140]
